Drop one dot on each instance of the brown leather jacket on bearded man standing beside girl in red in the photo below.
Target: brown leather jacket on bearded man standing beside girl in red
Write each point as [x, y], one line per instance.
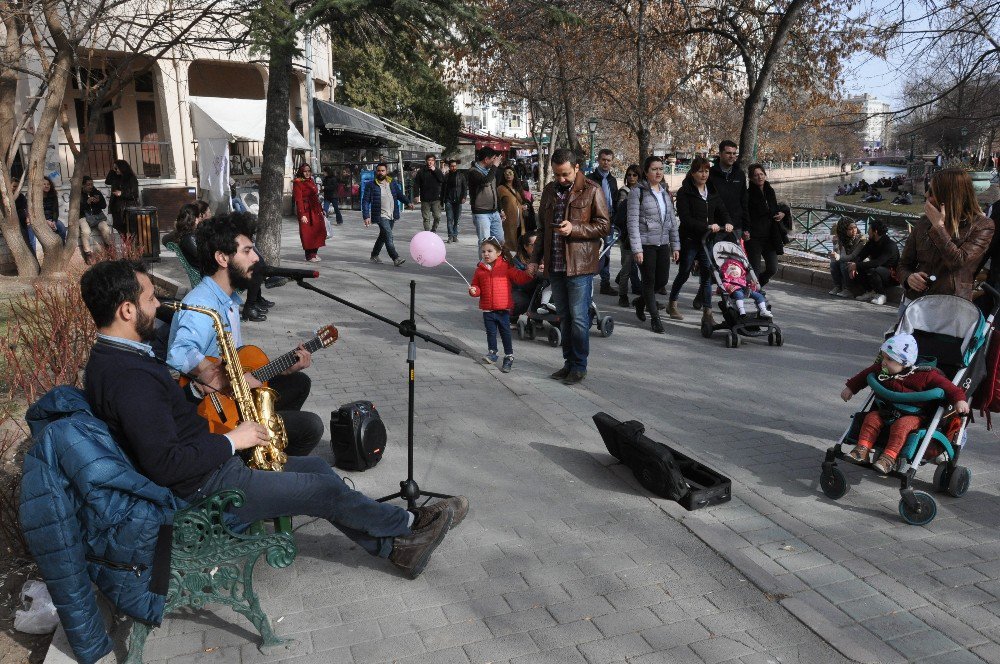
[587, 210]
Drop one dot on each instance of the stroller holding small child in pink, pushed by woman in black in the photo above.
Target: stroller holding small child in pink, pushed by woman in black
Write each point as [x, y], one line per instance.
[732, 322]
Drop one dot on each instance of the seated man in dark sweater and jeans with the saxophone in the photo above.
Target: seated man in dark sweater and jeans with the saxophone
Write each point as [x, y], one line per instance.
[158, 426]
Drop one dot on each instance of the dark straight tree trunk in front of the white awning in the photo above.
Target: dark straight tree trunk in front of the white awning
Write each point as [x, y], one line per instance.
[272, 172]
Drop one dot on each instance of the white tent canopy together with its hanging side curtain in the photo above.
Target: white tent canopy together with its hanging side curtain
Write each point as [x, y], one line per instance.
[218, 121]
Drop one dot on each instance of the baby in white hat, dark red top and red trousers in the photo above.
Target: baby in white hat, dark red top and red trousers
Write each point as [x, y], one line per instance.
[898, 371]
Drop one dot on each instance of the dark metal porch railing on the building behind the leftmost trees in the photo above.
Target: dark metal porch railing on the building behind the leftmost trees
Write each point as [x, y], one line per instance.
[149, 159]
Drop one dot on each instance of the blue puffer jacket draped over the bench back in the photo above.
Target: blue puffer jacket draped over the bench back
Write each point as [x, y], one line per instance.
[89, 516]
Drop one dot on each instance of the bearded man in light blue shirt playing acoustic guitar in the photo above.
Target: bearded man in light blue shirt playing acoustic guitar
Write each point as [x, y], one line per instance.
[227, 260]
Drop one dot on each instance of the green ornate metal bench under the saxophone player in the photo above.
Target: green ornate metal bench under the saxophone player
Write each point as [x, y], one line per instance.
[212, 564]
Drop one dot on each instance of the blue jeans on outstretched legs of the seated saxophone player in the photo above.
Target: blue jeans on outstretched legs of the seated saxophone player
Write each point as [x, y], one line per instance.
[309, 487]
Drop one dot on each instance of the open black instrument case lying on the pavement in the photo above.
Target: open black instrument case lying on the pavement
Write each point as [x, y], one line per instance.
[661, 469]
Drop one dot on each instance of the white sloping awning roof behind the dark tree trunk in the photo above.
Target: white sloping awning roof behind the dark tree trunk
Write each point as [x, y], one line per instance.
[235, 120]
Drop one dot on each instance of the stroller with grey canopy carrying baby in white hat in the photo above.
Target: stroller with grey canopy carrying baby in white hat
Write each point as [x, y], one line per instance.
[952, 335]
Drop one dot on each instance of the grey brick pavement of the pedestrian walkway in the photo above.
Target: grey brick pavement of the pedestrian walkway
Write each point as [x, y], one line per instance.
[563, 558]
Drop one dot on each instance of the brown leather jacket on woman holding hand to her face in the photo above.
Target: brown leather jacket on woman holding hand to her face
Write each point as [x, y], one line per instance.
[953, 261]
